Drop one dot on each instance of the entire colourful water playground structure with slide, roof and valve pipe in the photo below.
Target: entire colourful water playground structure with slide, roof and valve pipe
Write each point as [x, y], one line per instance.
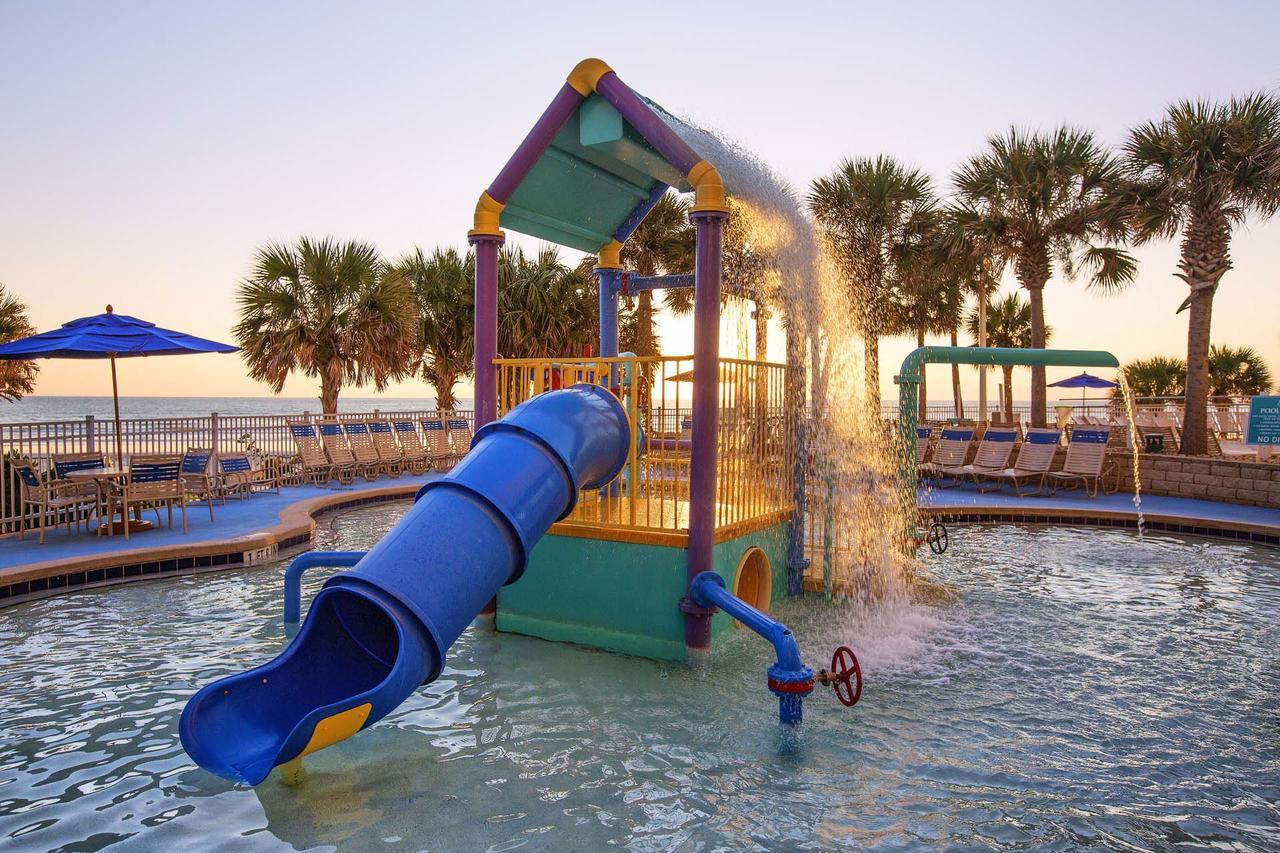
[602, 503]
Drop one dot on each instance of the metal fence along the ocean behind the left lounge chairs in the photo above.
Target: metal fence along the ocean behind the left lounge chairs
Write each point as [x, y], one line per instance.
[268, 435]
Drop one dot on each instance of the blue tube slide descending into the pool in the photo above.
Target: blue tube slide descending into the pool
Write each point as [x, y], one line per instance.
[378, 632]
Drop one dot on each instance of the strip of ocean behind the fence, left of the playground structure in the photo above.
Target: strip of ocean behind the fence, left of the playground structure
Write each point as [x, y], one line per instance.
[47, 408]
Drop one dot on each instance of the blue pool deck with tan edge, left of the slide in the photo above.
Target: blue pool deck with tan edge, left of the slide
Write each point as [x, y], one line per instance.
[245, 532]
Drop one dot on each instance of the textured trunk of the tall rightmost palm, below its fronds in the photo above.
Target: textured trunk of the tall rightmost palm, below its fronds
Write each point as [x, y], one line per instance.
[1205, 259]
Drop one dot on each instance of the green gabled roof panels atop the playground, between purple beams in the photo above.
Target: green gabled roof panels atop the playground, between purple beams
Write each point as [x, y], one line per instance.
[589, 181]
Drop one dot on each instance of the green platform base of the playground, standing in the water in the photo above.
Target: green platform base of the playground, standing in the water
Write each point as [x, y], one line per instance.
[621, 596]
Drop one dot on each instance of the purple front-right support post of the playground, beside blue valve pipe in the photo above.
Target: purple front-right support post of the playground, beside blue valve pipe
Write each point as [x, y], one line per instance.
[702, 468]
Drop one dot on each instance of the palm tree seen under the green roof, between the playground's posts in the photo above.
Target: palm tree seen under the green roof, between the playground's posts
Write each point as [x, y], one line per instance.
[664, 244]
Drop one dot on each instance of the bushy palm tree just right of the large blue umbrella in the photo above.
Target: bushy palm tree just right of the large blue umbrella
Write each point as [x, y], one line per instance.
[330, 311]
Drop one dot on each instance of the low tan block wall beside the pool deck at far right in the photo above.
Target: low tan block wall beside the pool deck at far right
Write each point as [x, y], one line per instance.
[1215, 480]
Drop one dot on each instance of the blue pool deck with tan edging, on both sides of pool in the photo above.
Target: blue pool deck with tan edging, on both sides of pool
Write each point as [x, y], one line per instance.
[267, 527]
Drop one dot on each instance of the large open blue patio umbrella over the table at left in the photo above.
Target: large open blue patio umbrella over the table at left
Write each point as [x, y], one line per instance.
[108, 336]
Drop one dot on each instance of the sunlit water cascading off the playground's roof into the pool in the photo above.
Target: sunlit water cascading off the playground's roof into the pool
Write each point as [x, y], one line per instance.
[858, 509]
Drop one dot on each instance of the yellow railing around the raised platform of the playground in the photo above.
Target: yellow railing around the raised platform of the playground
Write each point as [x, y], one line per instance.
[652, 492]
